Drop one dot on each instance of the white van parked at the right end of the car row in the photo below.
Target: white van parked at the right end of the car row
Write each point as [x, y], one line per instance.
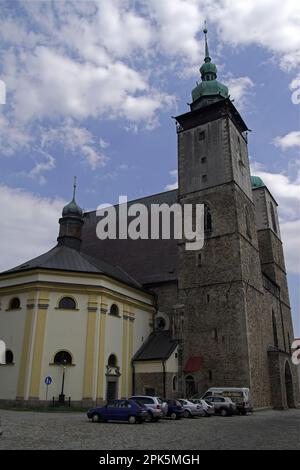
[240, 396]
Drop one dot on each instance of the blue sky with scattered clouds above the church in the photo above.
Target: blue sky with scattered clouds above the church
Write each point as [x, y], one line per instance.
[91, 88]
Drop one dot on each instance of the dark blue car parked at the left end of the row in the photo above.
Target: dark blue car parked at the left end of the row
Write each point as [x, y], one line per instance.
[119, 410]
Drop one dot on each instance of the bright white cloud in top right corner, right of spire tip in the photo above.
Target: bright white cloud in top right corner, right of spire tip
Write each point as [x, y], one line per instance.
[268, 23]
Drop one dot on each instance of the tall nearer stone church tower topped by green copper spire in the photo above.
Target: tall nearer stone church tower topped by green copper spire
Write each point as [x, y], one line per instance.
[220, 287]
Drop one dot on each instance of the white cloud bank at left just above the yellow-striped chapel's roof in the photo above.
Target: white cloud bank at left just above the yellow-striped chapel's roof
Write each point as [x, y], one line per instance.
[29, 225]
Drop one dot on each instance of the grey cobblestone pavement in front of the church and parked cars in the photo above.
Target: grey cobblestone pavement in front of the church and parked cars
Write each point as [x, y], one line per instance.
[261, 430]
